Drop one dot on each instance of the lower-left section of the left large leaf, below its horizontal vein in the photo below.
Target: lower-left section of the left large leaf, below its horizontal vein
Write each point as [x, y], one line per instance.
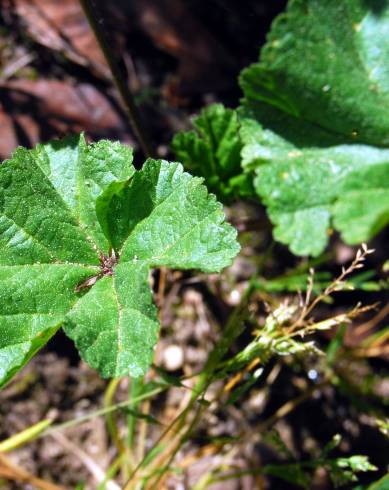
[34, 299]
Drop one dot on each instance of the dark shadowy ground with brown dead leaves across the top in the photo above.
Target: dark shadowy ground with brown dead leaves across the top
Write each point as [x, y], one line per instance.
[179, 55]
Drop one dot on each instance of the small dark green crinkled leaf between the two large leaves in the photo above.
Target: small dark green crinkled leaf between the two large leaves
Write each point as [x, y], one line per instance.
[213, 151]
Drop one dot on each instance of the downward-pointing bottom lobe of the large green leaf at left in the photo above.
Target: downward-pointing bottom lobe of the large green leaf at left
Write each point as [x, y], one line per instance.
[115, 325]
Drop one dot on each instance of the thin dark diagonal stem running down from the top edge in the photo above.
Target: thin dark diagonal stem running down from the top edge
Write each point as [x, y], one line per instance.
[95, 21]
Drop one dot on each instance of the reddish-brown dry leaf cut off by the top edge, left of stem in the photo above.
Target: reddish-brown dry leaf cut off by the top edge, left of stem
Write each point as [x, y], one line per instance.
[62, 26]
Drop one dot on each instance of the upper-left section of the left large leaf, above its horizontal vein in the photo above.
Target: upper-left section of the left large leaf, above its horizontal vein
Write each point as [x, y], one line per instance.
[36, 225]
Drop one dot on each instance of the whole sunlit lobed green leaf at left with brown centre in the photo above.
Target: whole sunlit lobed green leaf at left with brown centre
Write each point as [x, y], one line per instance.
[63, 206]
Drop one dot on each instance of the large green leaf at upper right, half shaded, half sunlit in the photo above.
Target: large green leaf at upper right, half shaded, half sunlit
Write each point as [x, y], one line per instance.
[315, 122]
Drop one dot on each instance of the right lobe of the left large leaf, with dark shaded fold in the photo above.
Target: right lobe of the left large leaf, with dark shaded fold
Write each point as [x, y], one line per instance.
[166, 217]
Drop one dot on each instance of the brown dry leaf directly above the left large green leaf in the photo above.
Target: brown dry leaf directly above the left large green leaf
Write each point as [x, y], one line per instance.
[33, 111]
